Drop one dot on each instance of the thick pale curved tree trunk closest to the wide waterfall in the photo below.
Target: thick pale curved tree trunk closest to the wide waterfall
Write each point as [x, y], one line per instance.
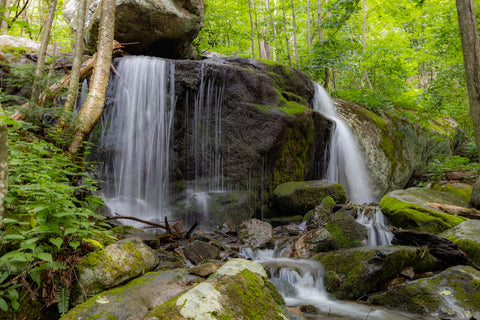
[93, 107]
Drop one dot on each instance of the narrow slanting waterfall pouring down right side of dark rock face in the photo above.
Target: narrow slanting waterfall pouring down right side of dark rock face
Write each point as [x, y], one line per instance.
[345, 163]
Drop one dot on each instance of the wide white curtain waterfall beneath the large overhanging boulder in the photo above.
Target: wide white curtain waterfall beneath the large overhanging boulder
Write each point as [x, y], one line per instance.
[138, 128]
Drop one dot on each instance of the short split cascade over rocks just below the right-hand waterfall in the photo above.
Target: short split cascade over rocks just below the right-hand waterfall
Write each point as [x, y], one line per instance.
[373, 219]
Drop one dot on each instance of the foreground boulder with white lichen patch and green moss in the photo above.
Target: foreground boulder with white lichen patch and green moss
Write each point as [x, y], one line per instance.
[238, 290]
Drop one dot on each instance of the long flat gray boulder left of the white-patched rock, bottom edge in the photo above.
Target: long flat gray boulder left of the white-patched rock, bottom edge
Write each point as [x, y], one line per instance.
[135, 299]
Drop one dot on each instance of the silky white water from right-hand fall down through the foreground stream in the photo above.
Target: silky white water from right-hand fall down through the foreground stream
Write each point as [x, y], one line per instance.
[300, 281]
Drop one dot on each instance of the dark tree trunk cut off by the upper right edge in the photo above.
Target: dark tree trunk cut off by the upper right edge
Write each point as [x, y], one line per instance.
[471, 58]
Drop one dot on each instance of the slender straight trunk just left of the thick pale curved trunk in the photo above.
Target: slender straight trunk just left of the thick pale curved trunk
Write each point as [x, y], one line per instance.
[77, 59]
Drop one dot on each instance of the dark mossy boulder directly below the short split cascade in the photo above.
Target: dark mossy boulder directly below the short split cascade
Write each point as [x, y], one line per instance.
[352, 273]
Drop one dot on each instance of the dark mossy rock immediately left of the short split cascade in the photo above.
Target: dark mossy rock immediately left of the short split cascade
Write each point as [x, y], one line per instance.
[346, 231]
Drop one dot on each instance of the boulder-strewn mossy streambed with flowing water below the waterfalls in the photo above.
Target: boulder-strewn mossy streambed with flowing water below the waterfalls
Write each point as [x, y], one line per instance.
[212, 275]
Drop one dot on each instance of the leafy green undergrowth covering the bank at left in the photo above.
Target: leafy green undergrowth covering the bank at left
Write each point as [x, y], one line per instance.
[51, 218]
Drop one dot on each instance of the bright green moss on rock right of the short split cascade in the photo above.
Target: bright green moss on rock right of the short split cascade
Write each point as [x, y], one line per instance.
[410, 216]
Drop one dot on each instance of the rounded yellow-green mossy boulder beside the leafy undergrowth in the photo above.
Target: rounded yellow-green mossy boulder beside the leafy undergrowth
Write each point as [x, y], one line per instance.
[111, 266]
